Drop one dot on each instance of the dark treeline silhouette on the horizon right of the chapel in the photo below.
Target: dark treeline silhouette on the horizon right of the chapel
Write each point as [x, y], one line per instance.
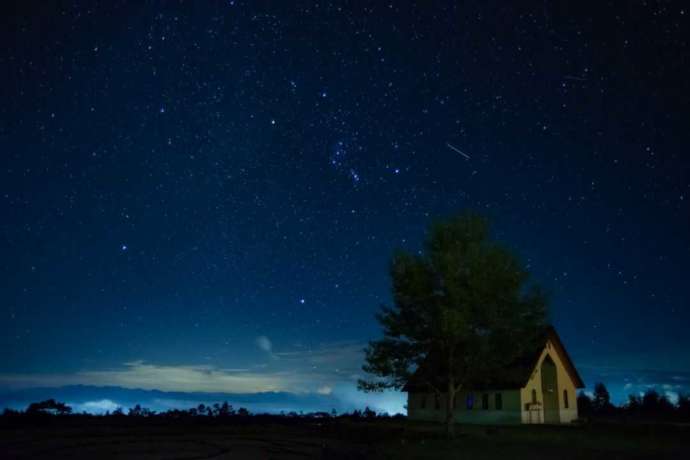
[649, 406]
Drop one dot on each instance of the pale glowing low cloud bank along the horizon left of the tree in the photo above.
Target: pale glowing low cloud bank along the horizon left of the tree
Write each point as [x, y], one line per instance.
[303, 379]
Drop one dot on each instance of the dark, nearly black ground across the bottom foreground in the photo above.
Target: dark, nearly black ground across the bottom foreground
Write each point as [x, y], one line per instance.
[386, 439]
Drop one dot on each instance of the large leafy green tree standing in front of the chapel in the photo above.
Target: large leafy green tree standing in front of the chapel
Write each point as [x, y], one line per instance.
[463, 311]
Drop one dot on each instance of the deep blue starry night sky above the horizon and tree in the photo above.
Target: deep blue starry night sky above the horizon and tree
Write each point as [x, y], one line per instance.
[205, 196]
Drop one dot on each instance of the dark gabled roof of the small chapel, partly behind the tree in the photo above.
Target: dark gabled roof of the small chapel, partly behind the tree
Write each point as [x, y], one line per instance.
[518, 374]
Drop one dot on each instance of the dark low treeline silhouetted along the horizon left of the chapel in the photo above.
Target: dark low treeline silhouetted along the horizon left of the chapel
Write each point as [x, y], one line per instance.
[220, 411]
